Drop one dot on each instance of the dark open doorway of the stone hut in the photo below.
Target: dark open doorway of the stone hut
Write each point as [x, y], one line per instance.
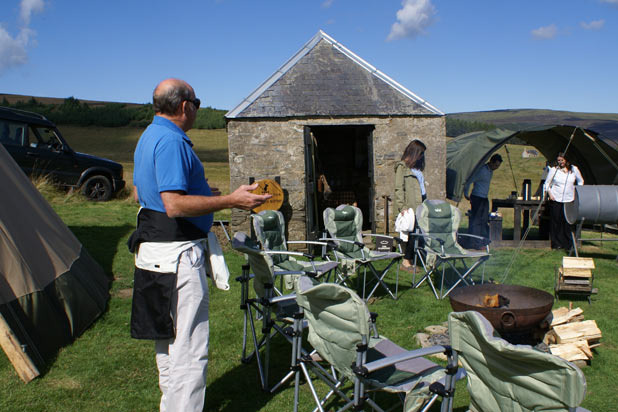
[339, 170]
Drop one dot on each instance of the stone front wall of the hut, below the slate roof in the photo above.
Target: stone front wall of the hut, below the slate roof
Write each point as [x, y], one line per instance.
[268, 148]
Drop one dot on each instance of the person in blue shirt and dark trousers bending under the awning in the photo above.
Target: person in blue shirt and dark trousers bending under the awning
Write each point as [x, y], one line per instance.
[479, 204]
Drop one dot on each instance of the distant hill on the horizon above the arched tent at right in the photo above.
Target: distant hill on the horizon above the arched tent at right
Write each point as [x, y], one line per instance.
[515, 119]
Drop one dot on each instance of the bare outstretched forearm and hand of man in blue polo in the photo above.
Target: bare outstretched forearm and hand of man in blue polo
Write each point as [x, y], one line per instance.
[179, 204]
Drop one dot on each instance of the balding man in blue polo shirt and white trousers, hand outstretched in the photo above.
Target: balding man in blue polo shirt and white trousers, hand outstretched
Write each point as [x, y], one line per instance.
[170, 297]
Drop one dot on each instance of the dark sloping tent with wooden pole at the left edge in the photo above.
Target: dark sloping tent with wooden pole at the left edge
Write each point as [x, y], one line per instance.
[51, 289]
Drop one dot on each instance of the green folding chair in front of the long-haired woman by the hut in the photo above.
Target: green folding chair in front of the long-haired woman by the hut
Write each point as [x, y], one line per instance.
[438, 222]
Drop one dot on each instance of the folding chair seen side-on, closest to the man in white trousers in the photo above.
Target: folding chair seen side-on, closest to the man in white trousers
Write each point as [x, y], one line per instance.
[276, 312]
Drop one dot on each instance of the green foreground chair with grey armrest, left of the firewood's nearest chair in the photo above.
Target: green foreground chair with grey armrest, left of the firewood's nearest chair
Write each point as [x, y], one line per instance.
[342, 331]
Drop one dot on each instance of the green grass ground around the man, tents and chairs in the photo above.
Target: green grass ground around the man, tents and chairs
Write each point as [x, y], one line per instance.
[106, 370]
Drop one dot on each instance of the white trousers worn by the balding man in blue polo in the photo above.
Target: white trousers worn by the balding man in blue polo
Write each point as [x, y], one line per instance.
[182, 360]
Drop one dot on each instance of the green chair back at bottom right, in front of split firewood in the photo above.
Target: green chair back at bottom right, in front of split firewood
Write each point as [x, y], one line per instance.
[506, 377]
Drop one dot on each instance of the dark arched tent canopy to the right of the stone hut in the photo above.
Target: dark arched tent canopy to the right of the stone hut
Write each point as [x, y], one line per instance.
[595, 156]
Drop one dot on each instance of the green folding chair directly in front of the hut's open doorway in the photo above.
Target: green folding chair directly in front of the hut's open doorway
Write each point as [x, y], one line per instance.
[344, 226]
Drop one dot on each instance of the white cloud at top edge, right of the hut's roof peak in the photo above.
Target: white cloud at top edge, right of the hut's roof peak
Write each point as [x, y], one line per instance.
[412, 19]
